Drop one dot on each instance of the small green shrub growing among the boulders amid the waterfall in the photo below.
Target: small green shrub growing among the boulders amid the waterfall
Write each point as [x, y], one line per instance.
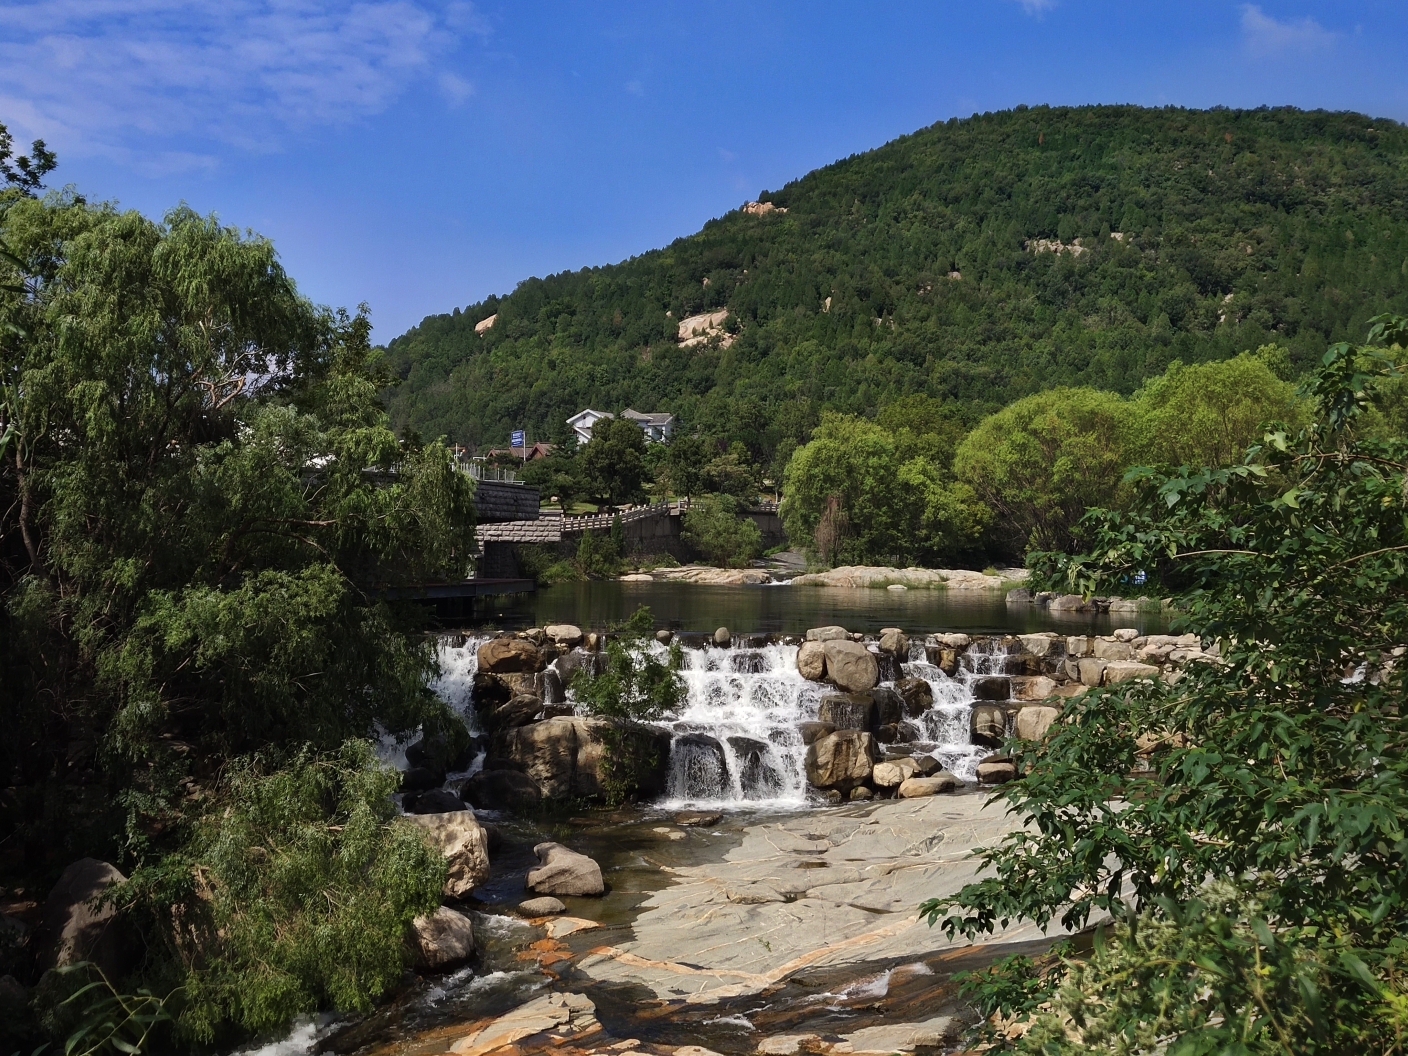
[636, 686]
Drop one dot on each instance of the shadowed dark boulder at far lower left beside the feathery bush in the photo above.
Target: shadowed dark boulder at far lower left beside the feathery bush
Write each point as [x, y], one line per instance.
[71, 930]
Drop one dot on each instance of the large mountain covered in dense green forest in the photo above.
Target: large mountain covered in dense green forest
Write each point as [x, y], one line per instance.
[975, 261]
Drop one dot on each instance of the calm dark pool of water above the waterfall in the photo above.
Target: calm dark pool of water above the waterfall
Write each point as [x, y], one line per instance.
[791, 610]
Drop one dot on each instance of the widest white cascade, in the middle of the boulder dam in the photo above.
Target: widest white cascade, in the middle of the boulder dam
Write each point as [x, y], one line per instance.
[737, 740]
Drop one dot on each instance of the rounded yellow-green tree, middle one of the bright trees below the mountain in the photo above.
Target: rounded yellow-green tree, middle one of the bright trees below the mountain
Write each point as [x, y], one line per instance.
[1040, 464]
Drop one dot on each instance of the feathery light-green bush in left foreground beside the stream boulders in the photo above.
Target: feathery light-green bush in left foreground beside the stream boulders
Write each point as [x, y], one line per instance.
[294, 895]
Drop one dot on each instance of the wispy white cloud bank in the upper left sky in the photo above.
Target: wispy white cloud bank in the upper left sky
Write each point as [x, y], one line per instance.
[120, 77]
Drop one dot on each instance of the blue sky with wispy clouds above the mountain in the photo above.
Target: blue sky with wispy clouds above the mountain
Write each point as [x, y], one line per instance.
[425, 154]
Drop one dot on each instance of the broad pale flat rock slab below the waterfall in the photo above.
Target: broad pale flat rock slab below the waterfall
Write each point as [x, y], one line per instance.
[823, 889]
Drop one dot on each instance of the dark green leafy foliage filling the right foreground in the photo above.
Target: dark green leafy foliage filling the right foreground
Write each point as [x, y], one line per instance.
[1283, 769]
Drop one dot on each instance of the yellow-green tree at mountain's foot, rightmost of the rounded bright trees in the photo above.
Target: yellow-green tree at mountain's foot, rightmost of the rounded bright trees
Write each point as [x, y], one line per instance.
[1207, 415]
